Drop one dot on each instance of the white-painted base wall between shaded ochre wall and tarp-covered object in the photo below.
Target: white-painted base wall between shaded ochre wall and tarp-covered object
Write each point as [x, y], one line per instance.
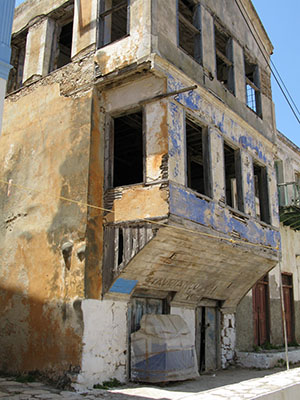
[104, 353]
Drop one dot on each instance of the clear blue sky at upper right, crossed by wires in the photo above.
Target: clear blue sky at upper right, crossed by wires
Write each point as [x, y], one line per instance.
[281, 21]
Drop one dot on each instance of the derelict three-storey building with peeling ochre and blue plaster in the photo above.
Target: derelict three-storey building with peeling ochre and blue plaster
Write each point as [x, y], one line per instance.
[139, 175]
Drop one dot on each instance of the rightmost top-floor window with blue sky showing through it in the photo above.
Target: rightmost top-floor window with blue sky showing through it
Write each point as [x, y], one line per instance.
[253, 92]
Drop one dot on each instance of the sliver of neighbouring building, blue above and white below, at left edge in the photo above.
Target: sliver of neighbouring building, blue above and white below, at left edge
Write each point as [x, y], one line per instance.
[6, 20]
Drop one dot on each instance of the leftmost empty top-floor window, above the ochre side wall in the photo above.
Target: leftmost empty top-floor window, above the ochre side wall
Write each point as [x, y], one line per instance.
[15, 79]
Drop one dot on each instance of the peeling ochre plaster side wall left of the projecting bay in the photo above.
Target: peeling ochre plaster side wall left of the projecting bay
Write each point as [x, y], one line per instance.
[45, 151]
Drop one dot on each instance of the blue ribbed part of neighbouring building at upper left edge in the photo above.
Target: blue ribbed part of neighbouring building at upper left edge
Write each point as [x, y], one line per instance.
[6, 19]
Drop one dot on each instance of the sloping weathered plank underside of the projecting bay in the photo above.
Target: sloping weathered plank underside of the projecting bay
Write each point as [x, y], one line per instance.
[196, 268]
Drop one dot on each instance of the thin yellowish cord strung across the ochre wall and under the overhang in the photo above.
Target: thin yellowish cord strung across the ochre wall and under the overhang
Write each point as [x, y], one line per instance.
[233, 241]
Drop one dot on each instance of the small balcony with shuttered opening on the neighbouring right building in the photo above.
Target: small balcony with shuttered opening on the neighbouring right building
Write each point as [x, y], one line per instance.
[289, 204]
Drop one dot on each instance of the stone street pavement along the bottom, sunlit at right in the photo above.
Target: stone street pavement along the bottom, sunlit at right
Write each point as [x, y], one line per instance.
[233, 384]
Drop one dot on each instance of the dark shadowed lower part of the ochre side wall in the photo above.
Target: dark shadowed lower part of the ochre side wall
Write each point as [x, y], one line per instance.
[36, 336]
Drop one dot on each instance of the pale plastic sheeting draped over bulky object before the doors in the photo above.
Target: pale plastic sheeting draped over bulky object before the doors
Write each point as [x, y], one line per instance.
[163, 350]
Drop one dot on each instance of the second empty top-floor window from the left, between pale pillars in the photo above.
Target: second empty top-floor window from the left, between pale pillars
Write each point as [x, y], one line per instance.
[62, 44]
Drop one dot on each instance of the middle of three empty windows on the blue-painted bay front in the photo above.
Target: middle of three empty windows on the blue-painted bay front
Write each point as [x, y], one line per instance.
[233, 178]
